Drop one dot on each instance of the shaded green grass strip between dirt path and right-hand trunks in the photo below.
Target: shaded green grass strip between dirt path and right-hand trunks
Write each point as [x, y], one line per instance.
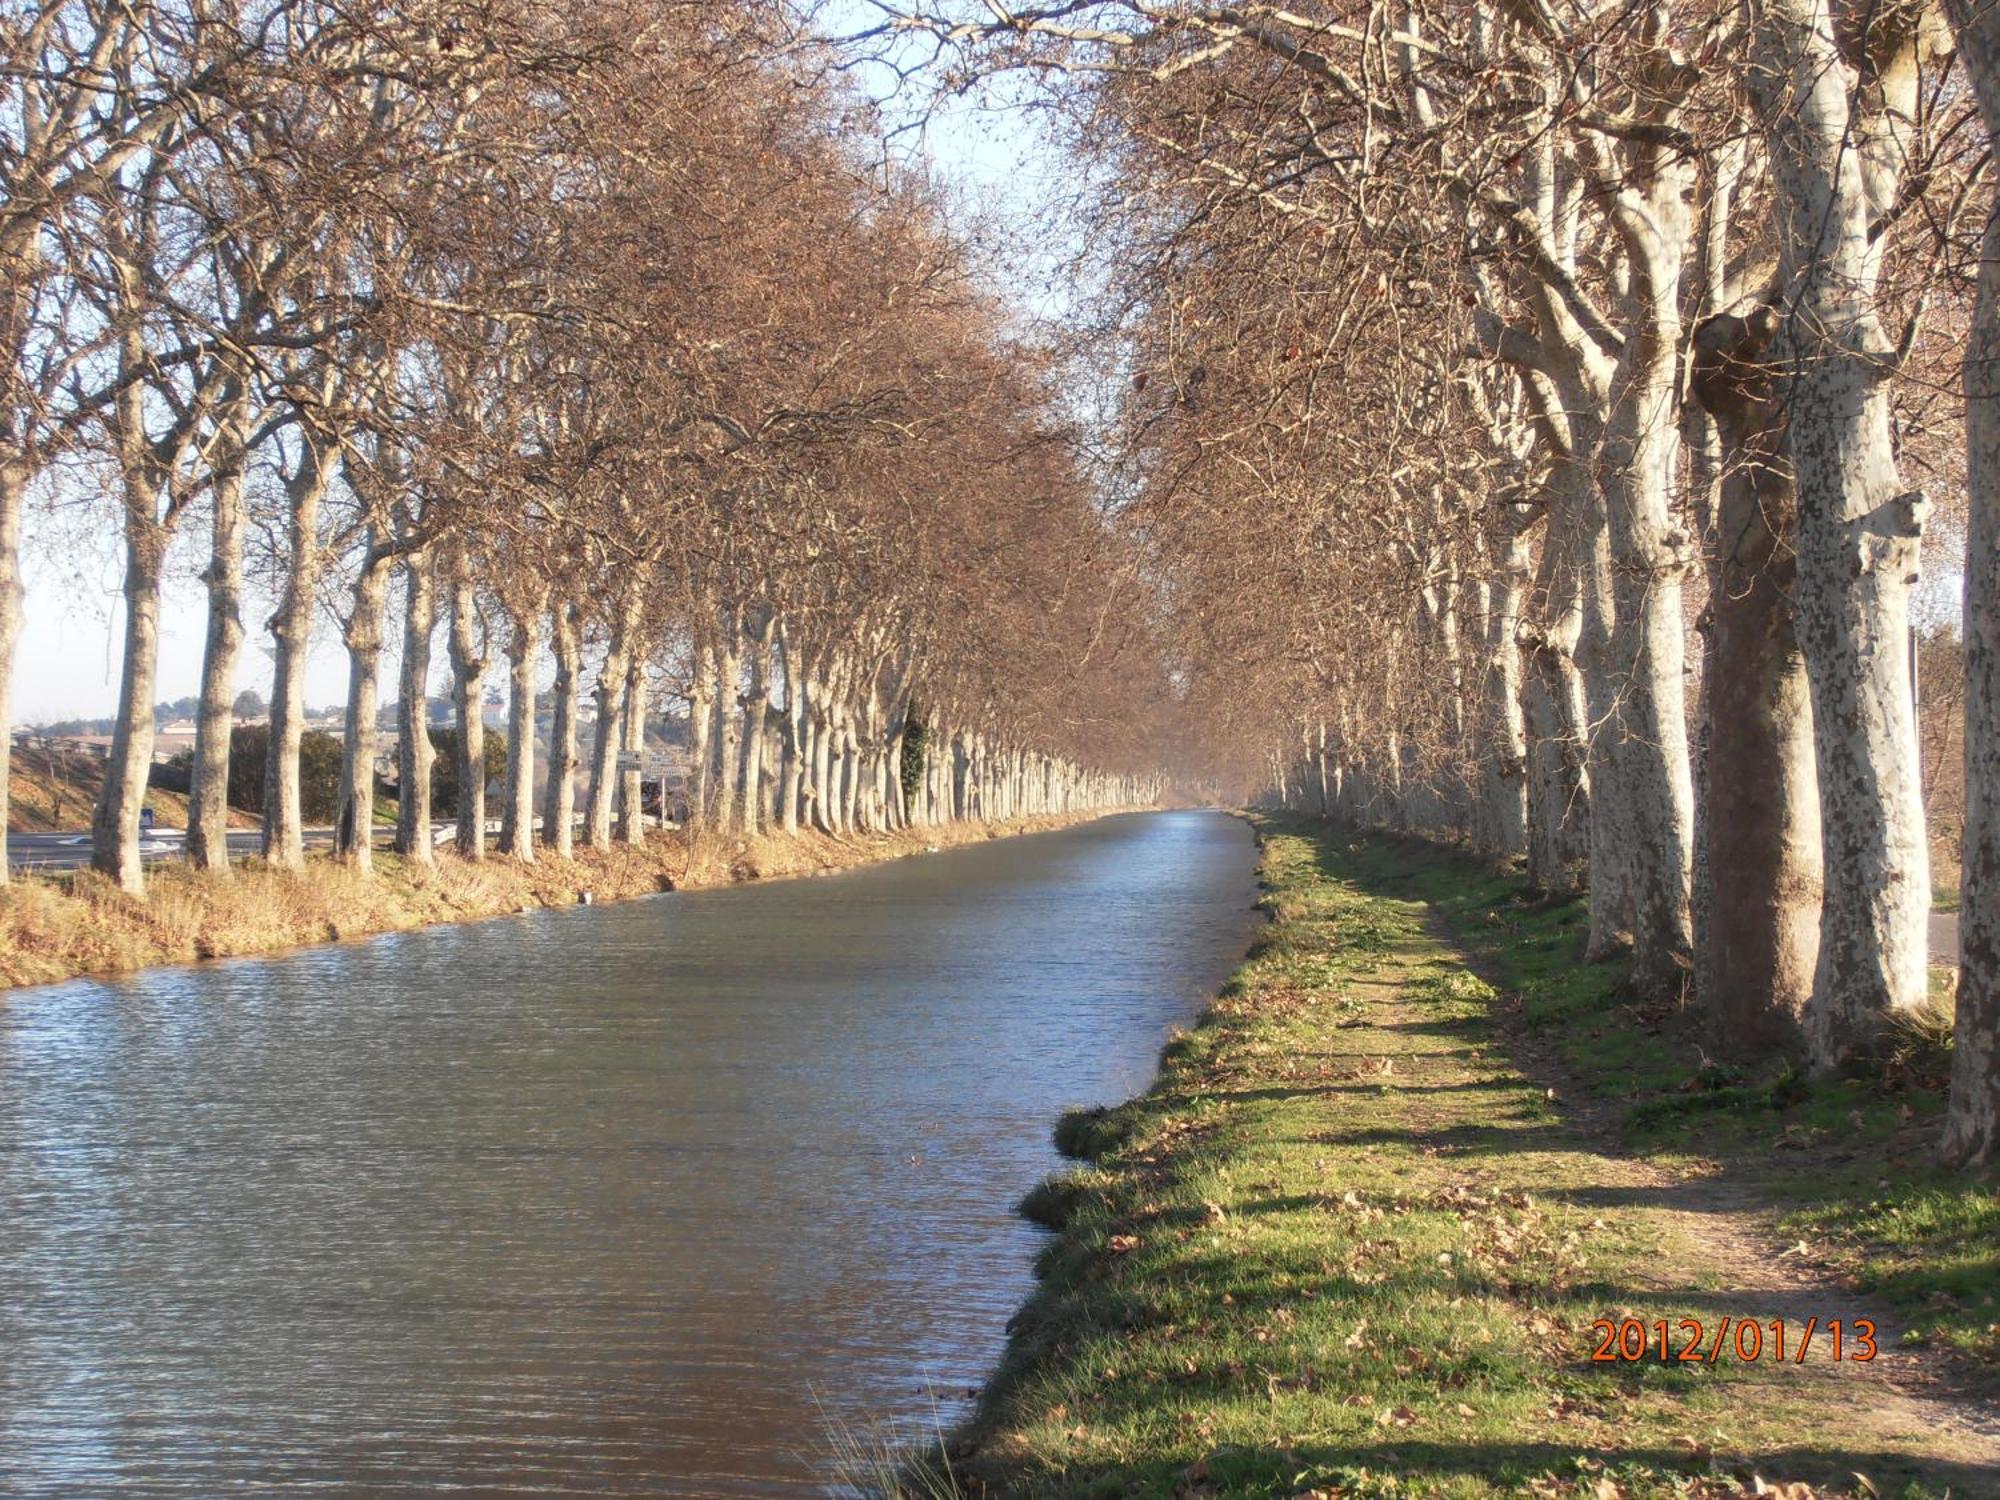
[1847, 1163]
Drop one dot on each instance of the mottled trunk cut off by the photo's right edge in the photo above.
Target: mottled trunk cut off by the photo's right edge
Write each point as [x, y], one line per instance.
[1973, 1123]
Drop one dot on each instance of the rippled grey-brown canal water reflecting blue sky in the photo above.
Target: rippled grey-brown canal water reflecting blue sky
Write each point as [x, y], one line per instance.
[641, 1199]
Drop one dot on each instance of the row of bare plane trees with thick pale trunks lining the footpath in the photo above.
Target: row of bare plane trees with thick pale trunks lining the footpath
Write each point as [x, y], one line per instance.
[1537, 415]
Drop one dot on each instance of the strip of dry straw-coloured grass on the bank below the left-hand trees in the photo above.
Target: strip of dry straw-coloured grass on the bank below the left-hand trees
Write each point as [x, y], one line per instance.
[61, 927]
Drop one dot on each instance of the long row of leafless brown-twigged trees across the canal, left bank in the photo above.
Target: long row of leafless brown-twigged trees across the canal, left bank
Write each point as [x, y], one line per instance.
[587, 355]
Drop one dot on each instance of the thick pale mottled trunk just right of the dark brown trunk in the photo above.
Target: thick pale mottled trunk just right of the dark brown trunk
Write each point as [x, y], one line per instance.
[1835, 173]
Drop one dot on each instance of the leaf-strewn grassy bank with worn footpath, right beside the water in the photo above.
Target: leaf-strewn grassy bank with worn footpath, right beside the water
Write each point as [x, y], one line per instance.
[1355, 1243]
